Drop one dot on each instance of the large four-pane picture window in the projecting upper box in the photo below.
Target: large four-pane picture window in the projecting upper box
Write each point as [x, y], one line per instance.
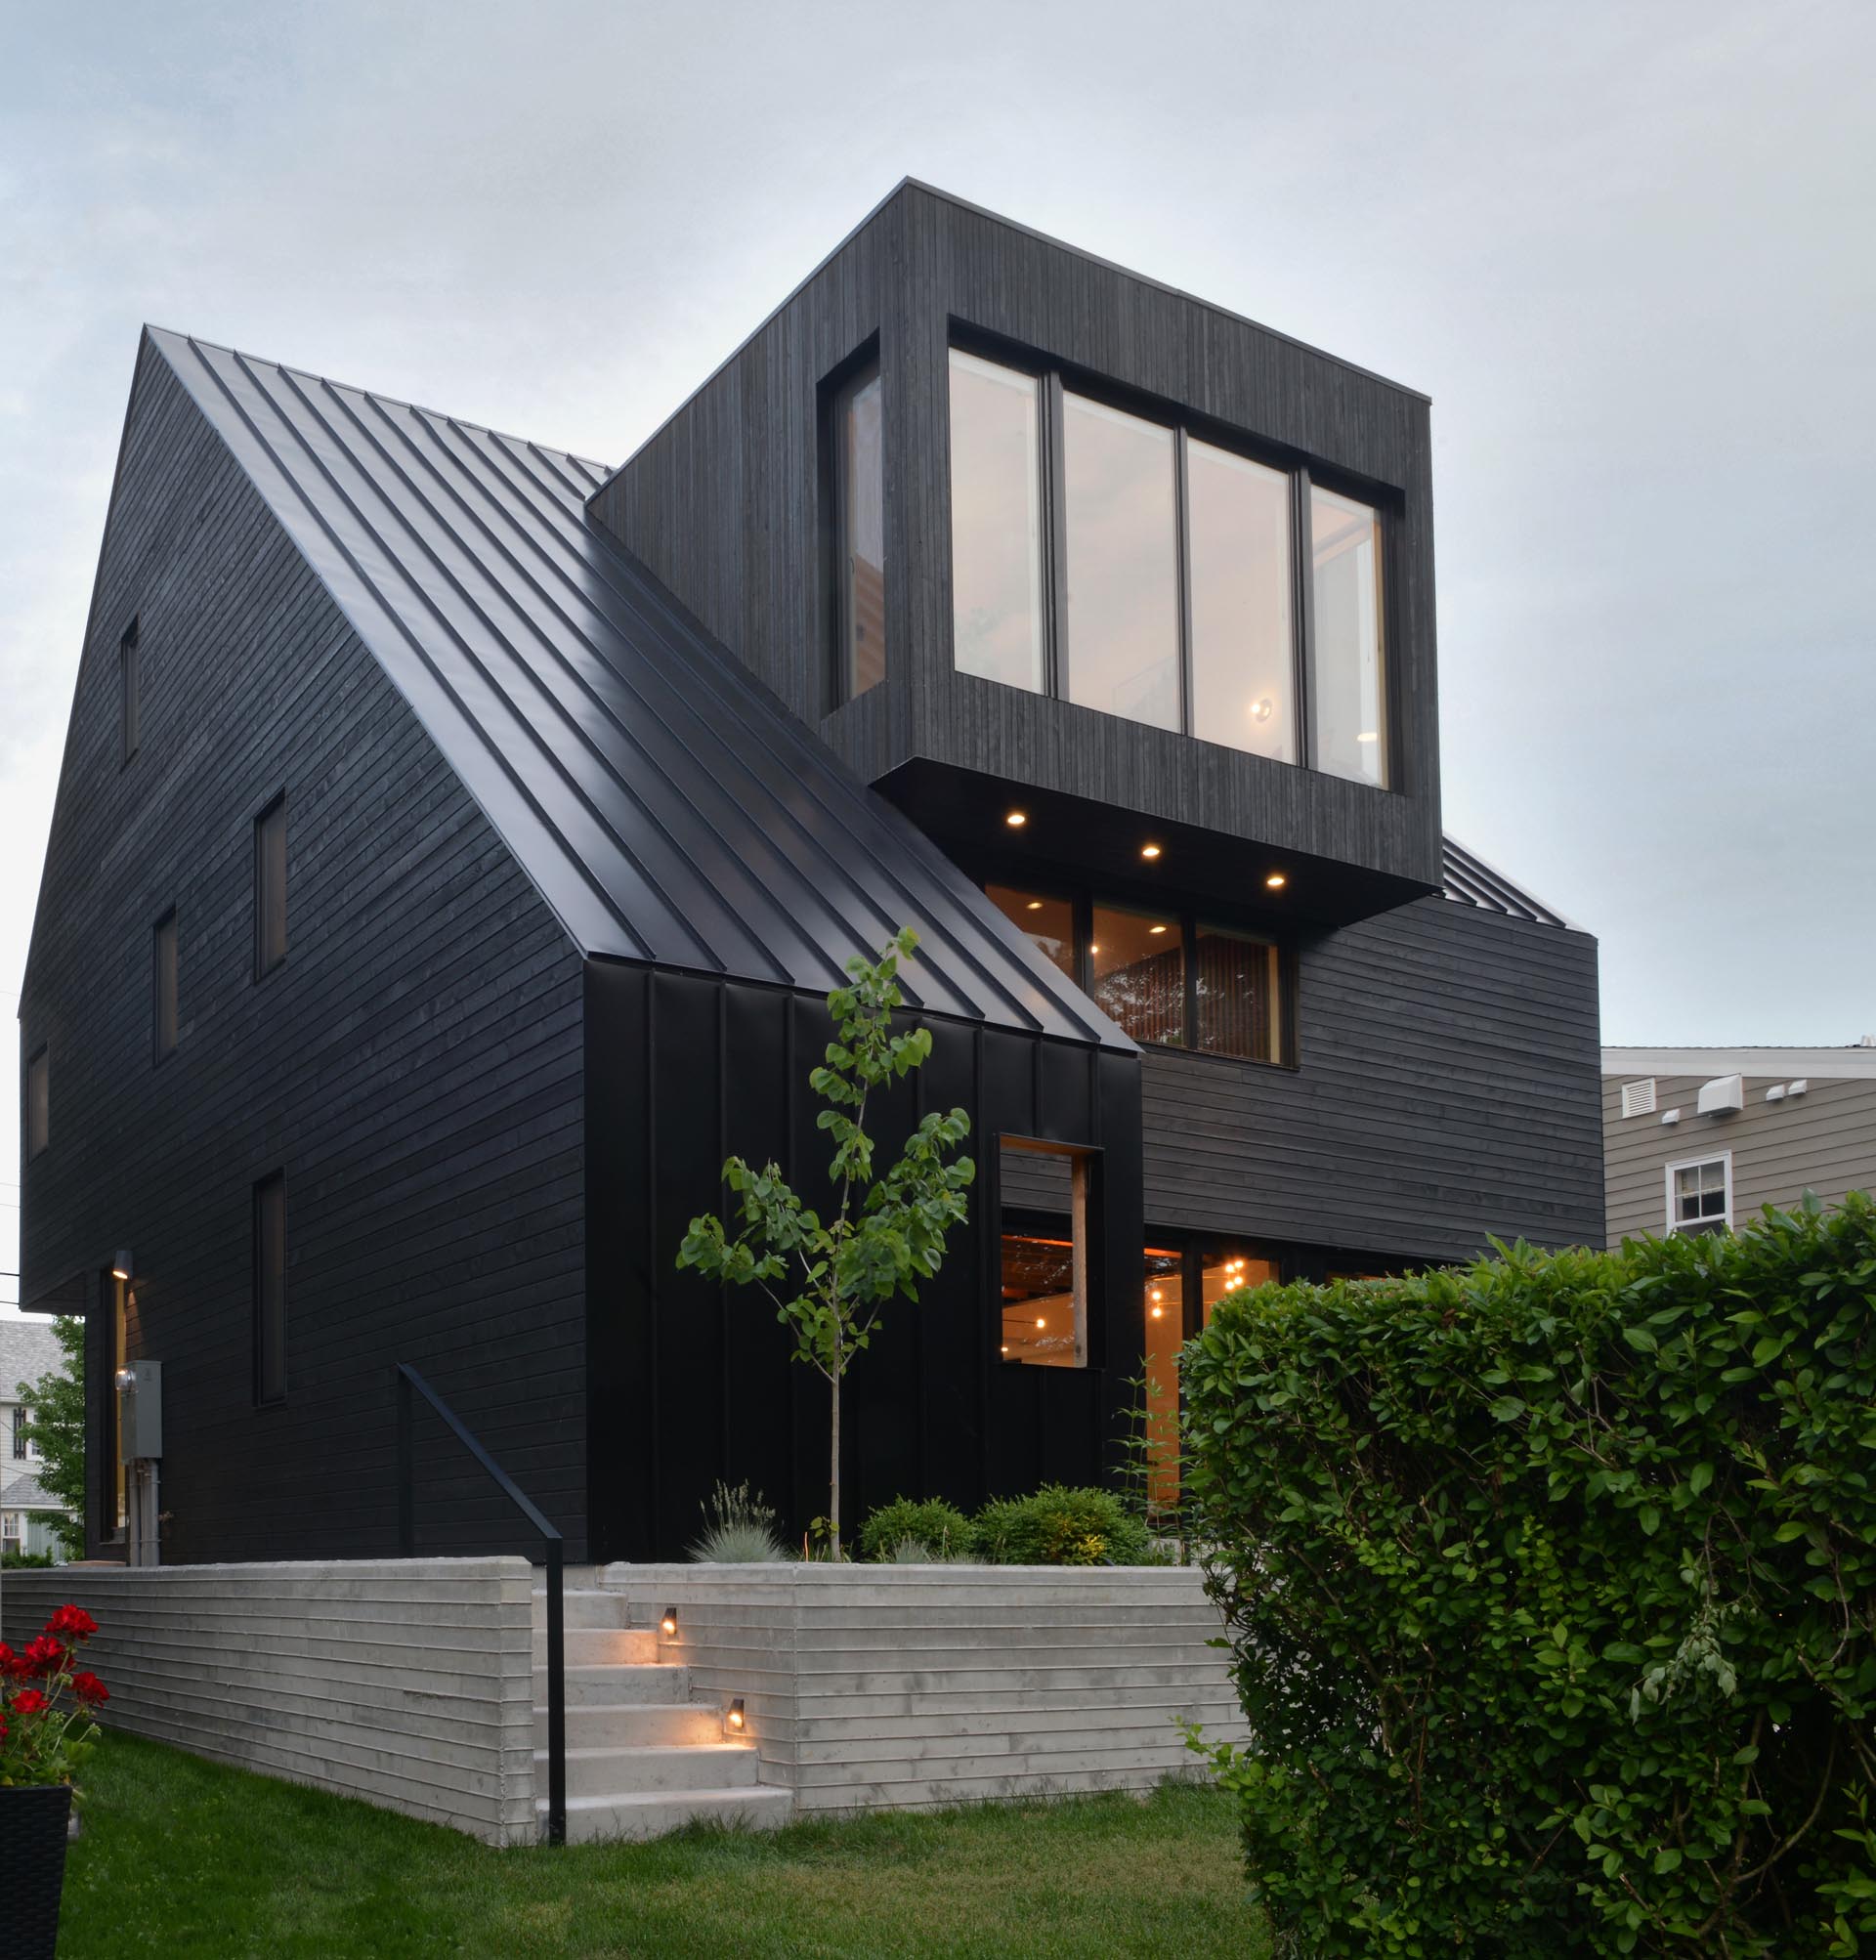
[1126, 563]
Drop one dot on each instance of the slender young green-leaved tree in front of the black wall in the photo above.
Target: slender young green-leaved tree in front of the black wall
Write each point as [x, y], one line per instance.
[830, 1281]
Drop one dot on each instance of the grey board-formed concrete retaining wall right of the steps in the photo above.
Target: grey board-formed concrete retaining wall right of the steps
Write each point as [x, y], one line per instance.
[895, 1687]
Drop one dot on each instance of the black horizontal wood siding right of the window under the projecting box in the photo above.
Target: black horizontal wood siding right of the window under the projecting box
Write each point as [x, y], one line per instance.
[1448, 1091]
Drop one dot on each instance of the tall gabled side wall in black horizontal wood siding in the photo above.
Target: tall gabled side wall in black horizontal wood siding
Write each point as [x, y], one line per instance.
[415, 1069]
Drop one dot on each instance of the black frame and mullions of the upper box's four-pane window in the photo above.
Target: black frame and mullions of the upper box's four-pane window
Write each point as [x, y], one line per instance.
[1063, 377]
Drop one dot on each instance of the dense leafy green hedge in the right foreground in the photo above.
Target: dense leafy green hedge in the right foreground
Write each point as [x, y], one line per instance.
[1550, 1589]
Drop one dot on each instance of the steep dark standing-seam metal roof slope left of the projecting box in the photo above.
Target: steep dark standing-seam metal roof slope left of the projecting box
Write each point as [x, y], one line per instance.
[666, 805]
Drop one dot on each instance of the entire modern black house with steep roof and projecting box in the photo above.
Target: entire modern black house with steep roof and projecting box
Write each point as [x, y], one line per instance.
[458, 840]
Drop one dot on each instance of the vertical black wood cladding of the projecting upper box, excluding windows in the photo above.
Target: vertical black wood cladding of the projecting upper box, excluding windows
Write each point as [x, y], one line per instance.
[726, 505]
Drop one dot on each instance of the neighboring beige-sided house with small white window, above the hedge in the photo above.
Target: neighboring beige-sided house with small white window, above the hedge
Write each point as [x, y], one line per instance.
[1701, 1140]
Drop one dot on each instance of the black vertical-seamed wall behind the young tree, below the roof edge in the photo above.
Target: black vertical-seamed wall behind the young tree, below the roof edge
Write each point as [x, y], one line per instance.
[695, 1383]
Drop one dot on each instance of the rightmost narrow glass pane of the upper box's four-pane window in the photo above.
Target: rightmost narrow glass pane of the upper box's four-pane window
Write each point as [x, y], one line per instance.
[1352, 738]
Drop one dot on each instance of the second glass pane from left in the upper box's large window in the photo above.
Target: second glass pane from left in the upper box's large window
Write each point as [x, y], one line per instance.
[1122, 563]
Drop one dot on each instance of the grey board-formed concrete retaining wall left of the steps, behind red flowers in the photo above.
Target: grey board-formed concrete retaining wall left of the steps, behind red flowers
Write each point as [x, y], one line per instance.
[405, 1683]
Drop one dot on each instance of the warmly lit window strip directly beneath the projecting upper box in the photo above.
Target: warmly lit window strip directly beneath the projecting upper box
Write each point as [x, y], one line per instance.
[1169, 979]
